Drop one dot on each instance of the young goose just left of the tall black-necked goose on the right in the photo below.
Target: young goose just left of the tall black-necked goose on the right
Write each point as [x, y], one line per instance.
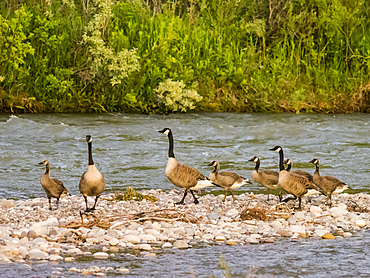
[268, 178]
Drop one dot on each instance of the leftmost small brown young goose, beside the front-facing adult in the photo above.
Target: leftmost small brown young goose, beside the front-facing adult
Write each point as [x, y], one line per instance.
[53, 187]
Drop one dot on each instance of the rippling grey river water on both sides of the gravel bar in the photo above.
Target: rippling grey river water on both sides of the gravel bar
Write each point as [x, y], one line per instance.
[129, 151]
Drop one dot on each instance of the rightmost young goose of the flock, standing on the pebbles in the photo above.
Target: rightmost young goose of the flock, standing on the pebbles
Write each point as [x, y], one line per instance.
[328, 184]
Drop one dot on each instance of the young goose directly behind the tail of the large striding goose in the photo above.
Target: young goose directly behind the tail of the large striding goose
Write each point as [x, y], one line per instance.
[226, 180]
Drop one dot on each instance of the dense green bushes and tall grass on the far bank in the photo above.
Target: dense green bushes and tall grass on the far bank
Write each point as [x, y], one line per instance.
[163, 56]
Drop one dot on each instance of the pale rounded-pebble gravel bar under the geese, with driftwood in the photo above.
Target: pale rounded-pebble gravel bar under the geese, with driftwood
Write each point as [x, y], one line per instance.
[29, 231]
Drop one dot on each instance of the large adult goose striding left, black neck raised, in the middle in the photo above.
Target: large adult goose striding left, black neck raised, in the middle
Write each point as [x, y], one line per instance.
[181, 175]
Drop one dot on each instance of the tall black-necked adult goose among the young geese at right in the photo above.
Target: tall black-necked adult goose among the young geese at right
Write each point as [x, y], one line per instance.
[291, 182]
